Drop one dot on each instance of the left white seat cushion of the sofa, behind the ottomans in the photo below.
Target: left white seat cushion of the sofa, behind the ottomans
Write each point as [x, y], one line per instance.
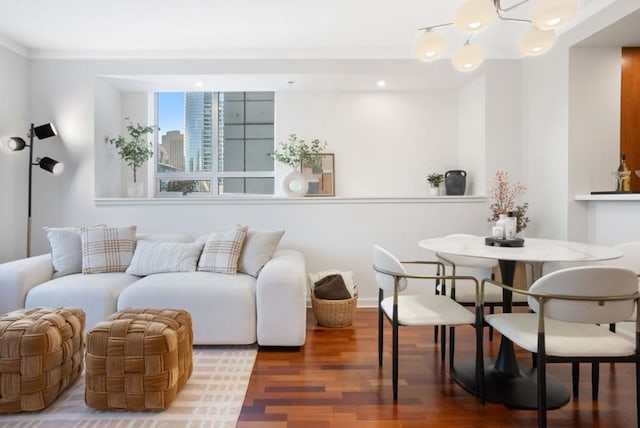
[96, 294]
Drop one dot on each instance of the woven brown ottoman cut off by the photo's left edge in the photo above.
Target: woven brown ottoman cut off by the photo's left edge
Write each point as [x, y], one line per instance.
[41, 354]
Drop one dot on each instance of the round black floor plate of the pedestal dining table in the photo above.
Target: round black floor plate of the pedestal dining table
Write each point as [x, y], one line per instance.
[514, 391]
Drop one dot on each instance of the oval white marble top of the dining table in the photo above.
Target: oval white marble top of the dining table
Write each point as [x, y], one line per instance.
[534, 249]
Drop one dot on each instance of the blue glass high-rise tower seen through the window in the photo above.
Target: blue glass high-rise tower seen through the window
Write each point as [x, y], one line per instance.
[199, 131]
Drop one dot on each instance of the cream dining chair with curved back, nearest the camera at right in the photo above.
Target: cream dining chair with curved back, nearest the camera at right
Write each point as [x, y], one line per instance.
[568, 307]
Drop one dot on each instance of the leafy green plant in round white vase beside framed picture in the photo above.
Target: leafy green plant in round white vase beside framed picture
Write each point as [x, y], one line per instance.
[296, 153]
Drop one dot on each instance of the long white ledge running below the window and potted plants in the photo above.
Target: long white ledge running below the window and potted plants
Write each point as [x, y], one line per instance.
[276, 200]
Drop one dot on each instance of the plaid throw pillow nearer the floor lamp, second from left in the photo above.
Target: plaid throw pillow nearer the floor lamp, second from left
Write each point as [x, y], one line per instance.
[107, 249]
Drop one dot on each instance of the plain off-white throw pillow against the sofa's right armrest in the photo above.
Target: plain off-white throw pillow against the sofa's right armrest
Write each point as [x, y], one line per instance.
[258, 248]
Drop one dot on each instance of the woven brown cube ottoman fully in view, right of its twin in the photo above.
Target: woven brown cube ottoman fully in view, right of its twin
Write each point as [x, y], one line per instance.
[133, 359]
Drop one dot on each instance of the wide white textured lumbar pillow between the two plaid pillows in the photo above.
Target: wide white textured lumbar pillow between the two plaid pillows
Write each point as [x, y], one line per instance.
[158, 257]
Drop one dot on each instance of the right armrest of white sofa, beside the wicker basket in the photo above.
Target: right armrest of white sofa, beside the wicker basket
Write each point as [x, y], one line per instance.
[281, 300]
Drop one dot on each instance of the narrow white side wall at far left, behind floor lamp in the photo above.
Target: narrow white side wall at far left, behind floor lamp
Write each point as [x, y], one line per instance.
[14, 174]
